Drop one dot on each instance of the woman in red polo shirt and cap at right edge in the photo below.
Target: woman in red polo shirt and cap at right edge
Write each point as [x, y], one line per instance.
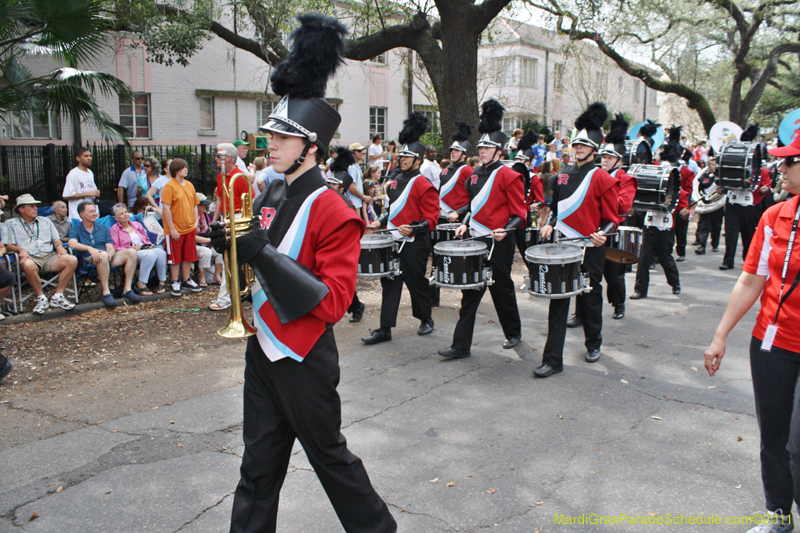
[771, 271]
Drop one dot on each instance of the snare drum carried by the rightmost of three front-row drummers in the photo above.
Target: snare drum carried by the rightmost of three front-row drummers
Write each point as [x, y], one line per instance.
[555, 271]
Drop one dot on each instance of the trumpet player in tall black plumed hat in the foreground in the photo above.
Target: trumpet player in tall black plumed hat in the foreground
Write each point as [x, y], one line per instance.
[304, 250]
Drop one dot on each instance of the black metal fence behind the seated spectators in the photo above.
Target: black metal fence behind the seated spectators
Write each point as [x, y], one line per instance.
[42, 170]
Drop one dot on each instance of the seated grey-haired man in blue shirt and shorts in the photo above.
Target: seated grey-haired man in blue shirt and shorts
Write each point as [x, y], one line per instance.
[94, 243]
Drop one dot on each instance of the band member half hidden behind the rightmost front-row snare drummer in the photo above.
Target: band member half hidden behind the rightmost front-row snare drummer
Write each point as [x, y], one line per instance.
[611, 157]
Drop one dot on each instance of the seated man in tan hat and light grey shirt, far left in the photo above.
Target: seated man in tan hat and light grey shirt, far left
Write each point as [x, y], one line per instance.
[36, 241]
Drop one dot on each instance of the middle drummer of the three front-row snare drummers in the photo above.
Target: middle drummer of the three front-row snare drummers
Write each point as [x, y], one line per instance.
[496, 210]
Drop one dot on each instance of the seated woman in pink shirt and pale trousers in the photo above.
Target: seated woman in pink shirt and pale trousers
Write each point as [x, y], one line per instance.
[127, 233]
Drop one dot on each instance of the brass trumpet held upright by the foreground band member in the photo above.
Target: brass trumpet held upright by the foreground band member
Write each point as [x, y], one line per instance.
[238, 327]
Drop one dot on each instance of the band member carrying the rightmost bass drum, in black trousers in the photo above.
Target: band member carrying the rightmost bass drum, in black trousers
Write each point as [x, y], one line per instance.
[742, 211]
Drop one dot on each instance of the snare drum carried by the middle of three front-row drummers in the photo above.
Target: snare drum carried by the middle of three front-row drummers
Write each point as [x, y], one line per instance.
[460, 265]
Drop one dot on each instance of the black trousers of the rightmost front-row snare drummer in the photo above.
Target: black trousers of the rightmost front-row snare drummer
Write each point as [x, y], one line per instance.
[589, 308]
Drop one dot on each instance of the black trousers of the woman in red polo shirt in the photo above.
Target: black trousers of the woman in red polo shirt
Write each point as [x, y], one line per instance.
[776, 385]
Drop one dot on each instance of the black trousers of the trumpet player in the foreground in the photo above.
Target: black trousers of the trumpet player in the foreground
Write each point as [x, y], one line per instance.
[287, 400]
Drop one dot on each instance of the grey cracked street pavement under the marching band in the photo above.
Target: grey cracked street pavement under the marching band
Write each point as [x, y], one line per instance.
[466, 445]
